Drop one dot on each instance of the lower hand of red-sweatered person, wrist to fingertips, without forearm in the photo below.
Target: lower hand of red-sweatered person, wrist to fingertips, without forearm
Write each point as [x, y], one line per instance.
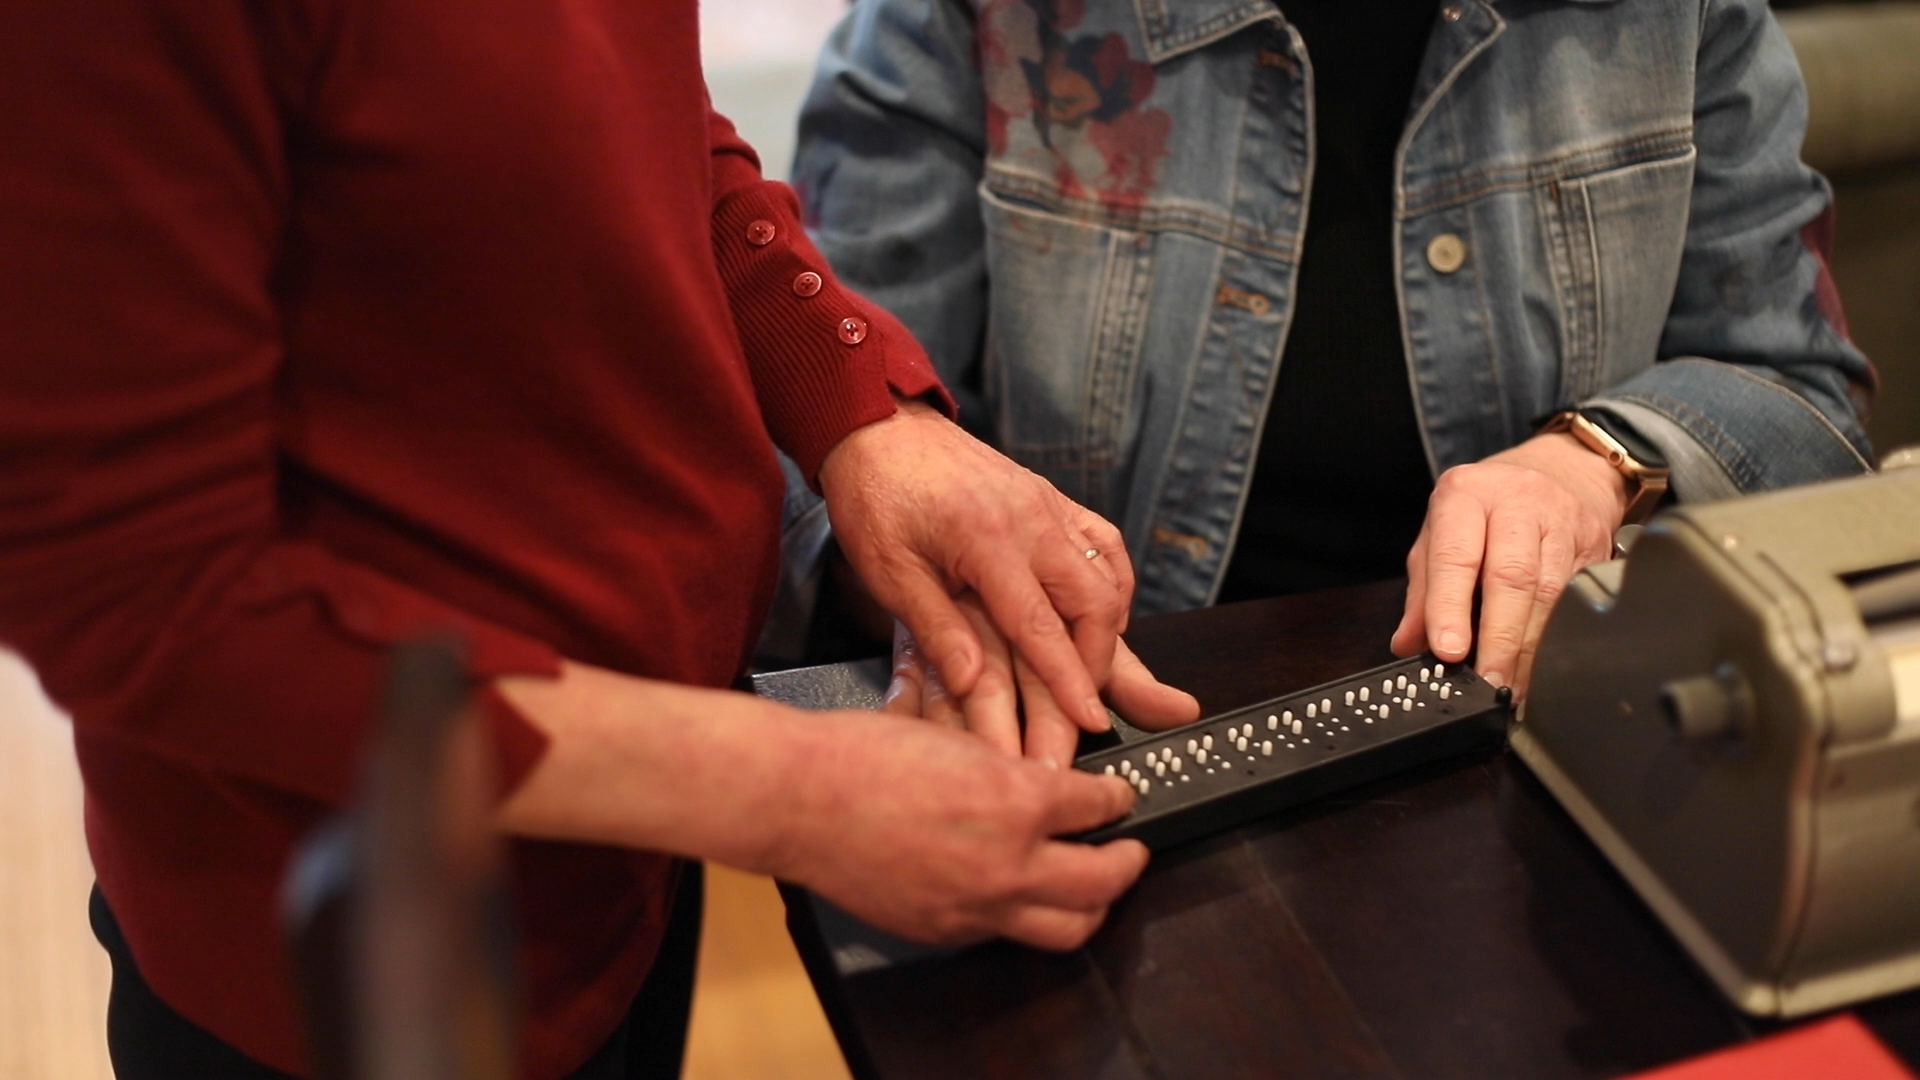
[930, 835]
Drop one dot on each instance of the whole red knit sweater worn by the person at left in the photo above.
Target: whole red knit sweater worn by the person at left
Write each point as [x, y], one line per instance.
[329, 322]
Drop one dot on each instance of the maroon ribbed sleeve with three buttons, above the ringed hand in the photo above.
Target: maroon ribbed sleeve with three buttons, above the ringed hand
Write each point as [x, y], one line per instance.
[823, 358]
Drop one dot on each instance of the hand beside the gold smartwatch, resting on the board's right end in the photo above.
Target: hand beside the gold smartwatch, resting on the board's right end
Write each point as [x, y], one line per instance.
[1520, 526]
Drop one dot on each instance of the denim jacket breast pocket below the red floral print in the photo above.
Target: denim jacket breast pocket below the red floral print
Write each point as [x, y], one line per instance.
[1067, 312]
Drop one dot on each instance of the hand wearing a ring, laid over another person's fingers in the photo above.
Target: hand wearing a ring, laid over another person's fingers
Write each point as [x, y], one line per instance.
[926, 512]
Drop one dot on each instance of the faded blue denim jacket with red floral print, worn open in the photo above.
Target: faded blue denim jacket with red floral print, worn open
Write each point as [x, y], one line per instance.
[1092, 214]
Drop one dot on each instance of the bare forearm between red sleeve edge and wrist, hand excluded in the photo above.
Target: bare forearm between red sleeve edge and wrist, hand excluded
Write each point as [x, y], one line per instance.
[661, 768]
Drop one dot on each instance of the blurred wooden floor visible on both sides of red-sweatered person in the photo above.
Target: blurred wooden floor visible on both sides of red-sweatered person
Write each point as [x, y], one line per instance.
[754, 1012]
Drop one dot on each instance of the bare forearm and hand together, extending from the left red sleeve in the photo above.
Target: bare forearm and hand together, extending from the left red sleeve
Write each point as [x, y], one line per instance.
[923, 831]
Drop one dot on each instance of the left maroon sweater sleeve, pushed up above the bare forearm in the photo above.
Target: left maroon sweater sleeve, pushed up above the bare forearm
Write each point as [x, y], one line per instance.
[143, 564]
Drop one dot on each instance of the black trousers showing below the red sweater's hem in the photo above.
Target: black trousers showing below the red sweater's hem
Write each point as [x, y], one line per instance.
[149, 1041]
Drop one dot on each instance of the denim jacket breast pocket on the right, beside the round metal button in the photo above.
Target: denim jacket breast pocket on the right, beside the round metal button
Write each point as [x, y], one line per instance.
[1616, 241]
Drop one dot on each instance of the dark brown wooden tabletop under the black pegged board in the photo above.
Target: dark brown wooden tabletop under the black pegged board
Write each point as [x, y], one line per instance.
[1443, 923]
